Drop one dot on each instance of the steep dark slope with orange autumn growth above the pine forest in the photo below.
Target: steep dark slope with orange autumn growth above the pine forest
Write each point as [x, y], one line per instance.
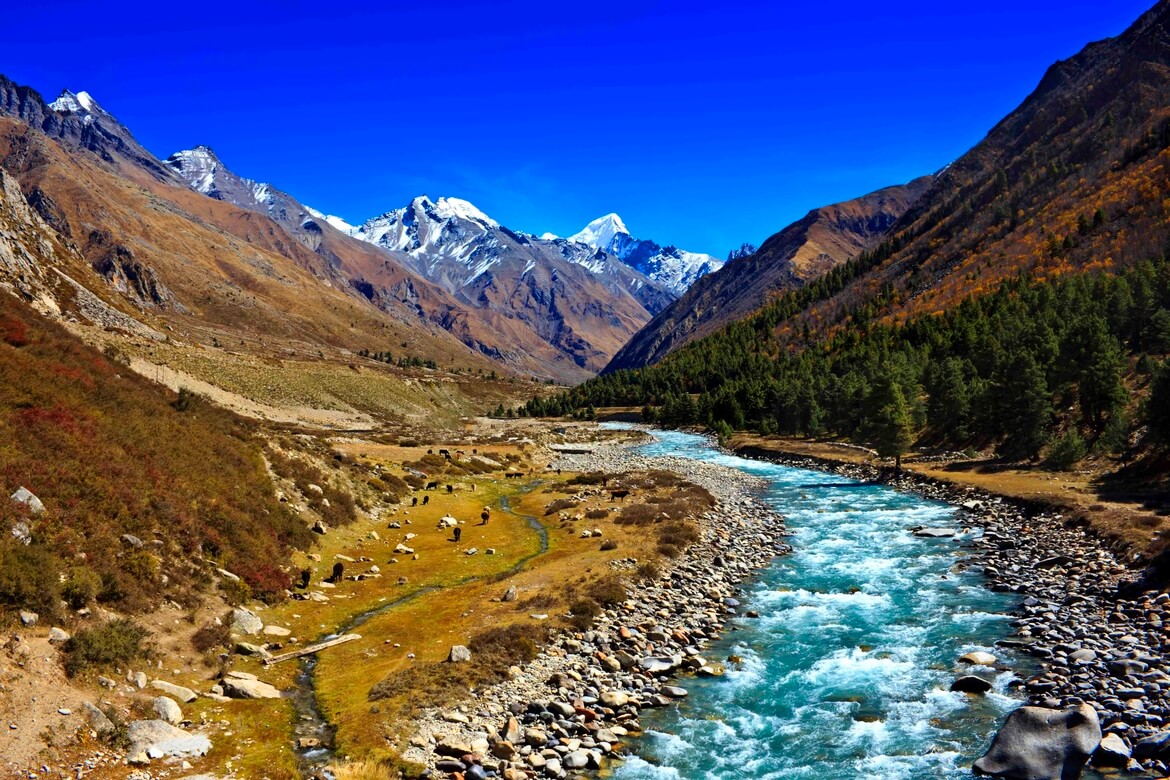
[1076, 178]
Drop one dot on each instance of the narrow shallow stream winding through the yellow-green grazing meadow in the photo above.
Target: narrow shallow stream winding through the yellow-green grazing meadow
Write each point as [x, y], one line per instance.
[309, 721]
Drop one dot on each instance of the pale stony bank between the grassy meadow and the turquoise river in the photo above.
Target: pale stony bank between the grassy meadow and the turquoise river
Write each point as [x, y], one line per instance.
[576, 705]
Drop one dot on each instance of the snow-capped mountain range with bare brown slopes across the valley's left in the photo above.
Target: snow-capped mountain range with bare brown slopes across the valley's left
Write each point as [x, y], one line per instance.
[550, 308]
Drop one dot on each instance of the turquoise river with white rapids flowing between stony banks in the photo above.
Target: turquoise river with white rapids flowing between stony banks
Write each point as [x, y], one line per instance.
[846, 673]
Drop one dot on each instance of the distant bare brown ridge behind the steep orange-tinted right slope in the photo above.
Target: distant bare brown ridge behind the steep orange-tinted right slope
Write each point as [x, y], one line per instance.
[804, 251]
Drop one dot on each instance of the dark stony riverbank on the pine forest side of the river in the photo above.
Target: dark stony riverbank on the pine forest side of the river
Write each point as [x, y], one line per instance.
[1093, 645]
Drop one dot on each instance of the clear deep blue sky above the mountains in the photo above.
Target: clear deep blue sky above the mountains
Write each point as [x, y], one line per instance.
[703, 125]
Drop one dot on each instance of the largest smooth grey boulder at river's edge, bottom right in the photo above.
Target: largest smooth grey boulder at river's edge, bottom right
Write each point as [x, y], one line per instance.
[1041, 744]
